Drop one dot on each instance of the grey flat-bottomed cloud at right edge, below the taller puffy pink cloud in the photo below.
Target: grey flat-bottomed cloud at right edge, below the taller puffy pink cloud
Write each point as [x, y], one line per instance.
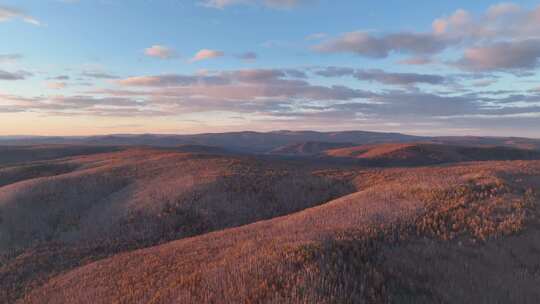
[512, 56]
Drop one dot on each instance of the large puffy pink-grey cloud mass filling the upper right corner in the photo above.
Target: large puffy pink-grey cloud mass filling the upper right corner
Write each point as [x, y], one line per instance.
[503, 38]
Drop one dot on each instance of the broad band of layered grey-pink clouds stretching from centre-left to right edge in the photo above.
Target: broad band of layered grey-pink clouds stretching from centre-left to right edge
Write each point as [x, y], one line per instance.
[287, 93]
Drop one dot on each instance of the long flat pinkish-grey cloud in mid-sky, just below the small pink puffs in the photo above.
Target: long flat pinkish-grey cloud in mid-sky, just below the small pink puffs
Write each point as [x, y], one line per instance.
[253, 84]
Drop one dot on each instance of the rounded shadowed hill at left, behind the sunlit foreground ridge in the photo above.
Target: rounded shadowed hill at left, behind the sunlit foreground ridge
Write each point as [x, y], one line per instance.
[100, 204]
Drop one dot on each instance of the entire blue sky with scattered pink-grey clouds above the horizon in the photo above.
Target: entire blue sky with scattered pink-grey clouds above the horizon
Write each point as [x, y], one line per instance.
[85, 67]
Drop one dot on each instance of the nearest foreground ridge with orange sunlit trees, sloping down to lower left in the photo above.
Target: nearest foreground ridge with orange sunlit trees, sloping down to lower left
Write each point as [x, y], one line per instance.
[412, 235]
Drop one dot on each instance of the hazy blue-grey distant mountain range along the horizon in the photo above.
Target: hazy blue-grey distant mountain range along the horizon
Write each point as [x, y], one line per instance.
[276, 142]
